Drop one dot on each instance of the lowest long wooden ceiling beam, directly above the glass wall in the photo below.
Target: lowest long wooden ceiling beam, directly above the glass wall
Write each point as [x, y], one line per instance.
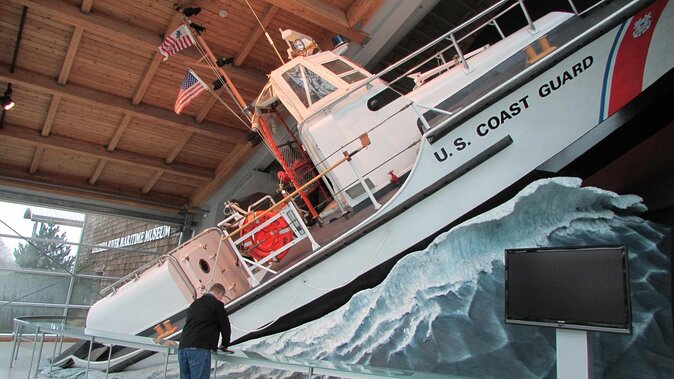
[16, 177]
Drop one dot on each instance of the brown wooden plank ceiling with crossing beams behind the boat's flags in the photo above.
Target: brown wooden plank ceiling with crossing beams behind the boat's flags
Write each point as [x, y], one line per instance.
[94, 113]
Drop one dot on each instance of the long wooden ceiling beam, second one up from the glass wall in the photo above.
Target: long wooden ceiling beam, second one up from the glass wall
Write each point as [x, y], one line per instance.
[72, 146]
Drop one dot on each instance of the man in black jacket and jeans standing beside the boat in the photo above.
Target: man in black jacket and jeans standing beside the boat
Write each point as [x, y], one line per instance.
[206, 321]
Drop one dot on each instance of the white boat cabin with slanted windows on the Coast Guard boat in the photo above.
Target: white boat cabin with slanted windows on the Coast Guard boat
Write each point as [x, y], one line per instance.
[326, 103]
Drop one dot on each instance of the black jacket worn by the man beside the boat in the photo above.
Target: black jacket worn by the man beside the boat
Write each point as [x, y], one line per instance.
[206, 321]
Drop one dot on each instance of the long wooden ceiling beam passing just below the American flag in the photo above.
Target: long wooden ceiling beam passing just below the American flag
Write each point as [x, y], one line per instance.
[45, 84]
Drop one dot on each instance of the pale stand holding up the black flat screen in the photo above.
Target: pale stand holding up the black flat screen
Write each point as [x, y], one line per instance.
[573, 354]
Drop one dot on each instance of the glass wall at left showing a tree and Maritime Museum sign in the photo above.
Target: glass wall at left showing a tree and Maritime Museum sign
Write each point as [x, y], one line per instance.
[55, 262]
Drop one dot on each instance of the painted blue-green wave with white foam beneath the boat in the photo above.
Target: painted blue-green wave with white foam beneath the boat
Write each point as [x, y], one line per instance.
[441, 310]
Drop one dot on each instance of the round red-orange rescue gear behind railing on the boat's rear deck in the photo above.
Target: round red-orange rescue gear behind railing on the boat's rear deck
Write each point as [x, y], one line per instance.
[268, 239]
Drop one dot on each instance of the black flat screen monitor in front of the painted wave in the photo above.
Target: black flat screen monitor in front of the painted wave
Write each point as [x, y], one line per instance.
[584, 288]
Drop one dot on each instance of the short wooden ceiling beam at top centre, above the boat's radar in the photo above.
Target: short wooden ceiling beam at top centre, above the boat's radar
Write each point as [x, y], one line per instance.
[324, 14]
